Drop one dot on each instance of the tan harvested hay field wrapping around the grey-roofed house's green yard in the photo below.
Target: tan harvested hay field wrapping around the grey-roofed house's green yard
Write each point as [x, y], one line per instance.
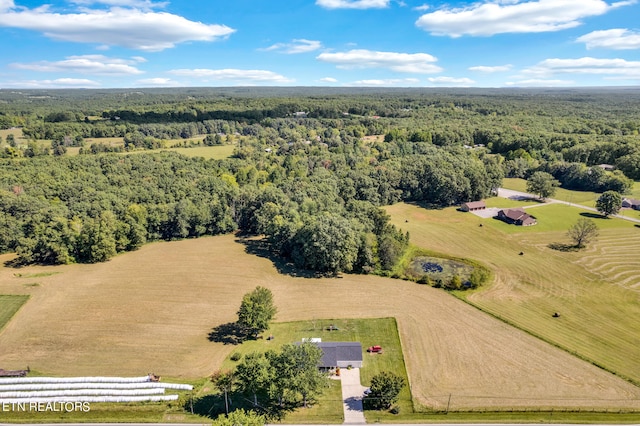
[151, 311]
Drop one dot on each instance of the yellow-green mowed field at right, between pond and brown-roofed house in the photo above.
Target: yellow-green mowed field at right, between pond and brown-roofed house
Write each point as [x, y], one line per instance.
[596, 291]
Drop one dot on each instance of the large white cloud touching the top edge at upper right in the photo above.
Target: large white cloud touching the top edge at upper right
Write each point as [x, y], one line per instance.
[515, 16]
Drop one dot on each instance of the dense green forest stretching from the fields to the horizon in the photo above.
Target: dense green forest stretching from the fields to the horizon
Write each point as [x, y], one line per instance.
[310, 169]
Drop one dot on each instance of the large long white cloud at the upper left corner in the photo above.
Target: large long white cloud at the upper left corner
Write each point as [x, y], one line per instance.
[125, 27]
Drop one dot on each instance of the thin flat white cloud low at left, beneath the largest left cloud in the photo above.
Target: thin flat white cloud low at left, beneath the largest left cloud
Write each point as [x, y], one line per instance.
[87, 64]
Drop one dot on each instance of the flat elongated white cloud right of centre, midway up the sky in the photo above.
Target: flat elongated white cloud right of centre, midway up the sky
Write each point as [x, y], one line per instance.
[420, 63]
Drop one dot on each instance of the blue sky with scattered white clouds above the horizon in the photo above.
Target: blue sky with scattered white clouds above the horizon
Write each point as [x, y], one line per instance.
[386, 43]
